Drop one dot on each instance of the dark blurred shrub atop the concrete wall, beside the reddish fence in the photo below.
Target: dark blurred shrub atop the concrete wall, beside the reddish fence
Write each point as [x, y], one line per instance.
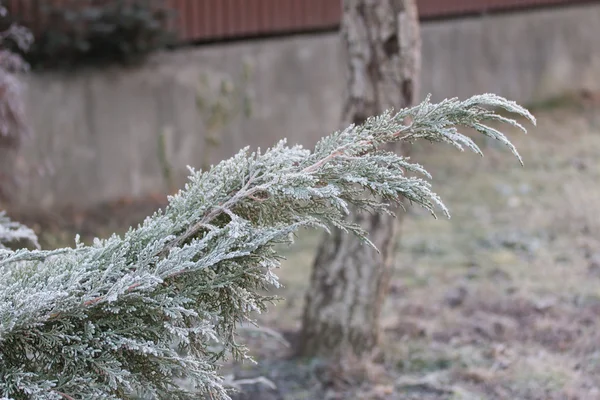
[72, 33]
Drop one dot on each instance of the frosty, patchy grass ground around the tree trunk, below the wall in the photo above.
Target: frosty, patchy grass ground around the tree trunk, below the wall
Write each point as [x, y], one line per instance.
[502, 301]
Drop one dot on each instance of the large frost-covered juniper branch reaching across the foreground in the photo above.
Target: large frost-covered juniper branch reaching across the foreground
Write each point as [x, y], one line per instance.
[99, 321]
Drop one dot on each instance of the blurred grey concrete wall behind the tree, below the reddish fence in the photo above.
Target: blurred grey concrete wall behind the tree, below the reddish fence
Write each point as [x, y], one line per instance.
[99, 130]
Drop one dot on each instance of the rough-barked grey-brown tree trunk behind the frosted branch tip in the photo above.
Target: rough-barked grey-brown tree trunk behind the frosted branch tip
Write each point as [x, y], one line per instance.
[350, 280]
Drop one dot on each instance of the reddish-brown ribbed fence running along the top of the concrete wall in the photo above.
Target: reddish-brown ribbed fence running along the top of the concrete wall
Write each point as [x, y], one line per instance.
[208, 20]
